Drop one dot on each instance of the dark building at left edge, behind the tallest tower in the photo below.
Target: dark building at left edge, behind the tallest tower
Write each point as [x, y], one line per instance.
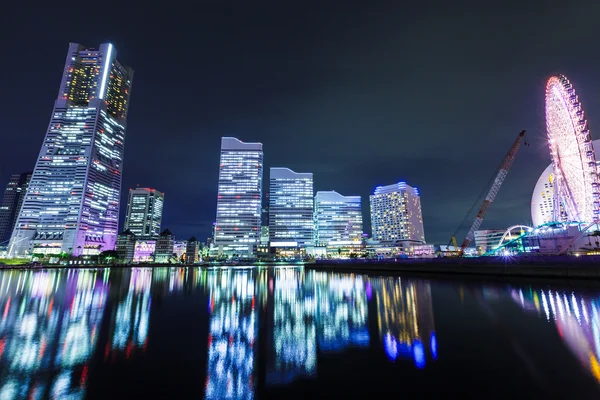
[11, 203]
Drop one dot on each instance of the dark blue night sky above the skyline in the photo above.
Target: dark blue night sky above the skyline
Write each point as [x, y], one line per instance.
[361, 94]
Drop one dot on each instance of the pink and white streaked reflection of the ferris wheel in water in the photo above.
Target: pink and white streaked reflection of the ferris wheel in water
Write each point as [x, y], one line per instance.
[576, 317]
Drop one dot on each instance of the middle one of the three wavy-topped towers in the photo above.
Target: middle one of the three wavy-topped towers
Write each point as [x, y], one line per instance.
[290, 209]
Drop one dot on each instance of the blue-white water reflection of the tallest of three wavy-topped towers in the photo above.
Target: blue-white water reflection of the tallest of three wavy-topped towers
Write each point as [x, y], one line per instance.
[232, 334]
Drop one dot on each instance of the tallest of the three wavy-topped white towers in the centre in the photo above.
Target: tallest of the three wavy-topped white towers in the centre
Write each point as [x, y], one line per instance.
[237, 230]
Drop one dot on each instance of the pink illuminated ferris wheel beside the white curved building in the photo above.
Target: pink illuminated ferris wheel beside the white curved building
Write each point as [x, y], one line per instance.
[573, 158]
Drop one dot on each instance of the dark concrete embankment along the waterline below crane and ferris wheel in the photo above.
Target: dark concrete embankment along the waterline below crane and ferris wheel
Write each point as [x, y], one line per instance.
[565, 268]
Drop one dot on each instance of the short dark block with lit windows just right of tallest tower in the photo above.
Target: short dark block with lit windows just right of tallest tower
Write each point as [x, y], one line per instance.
[144, 212]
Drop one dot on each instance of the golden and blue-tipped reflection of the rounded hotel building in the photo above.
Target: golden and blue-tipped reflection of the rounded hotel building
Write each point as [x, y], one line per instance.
[405, 319]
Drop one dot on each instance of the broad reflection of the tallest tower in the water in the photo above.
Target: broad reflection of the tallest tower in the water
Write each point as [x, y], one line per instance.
[49, 327]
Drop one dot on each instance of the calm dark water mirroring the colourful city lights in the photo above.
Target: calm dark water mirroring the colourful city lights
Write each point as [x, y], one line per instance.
[288, 332]
